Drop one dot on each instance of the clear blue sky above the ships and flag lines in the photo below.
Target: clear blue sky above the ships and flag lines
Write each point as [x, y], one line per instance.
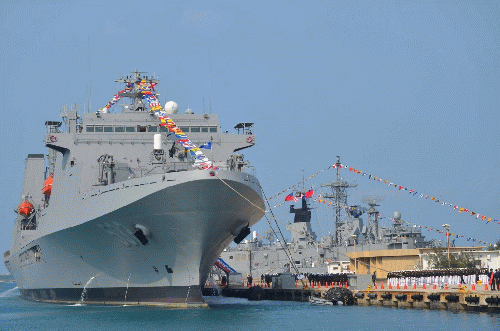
[408, 91]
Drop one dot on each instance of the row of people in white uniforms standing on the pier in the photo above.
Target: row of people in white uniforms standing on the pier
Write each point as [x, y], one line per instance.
[440, 277]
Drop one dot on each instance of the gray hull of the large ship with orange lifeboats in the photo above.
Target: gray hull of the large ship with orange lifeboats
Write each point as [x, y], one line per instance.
[188, 218]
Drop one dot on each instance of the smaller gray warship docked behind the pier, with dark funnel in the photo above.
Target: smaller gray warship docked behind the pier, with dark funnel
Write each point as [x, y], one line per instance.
[308, 254]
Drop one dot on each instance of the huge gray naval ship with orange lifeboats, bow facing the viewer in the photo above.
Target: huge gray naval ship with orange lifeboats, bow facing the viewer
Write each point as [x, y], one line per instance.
[125, 208]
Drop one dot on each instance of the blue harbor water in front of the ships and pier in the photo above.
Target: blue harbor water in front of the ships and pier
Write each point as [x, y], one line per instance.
[230, 314]
